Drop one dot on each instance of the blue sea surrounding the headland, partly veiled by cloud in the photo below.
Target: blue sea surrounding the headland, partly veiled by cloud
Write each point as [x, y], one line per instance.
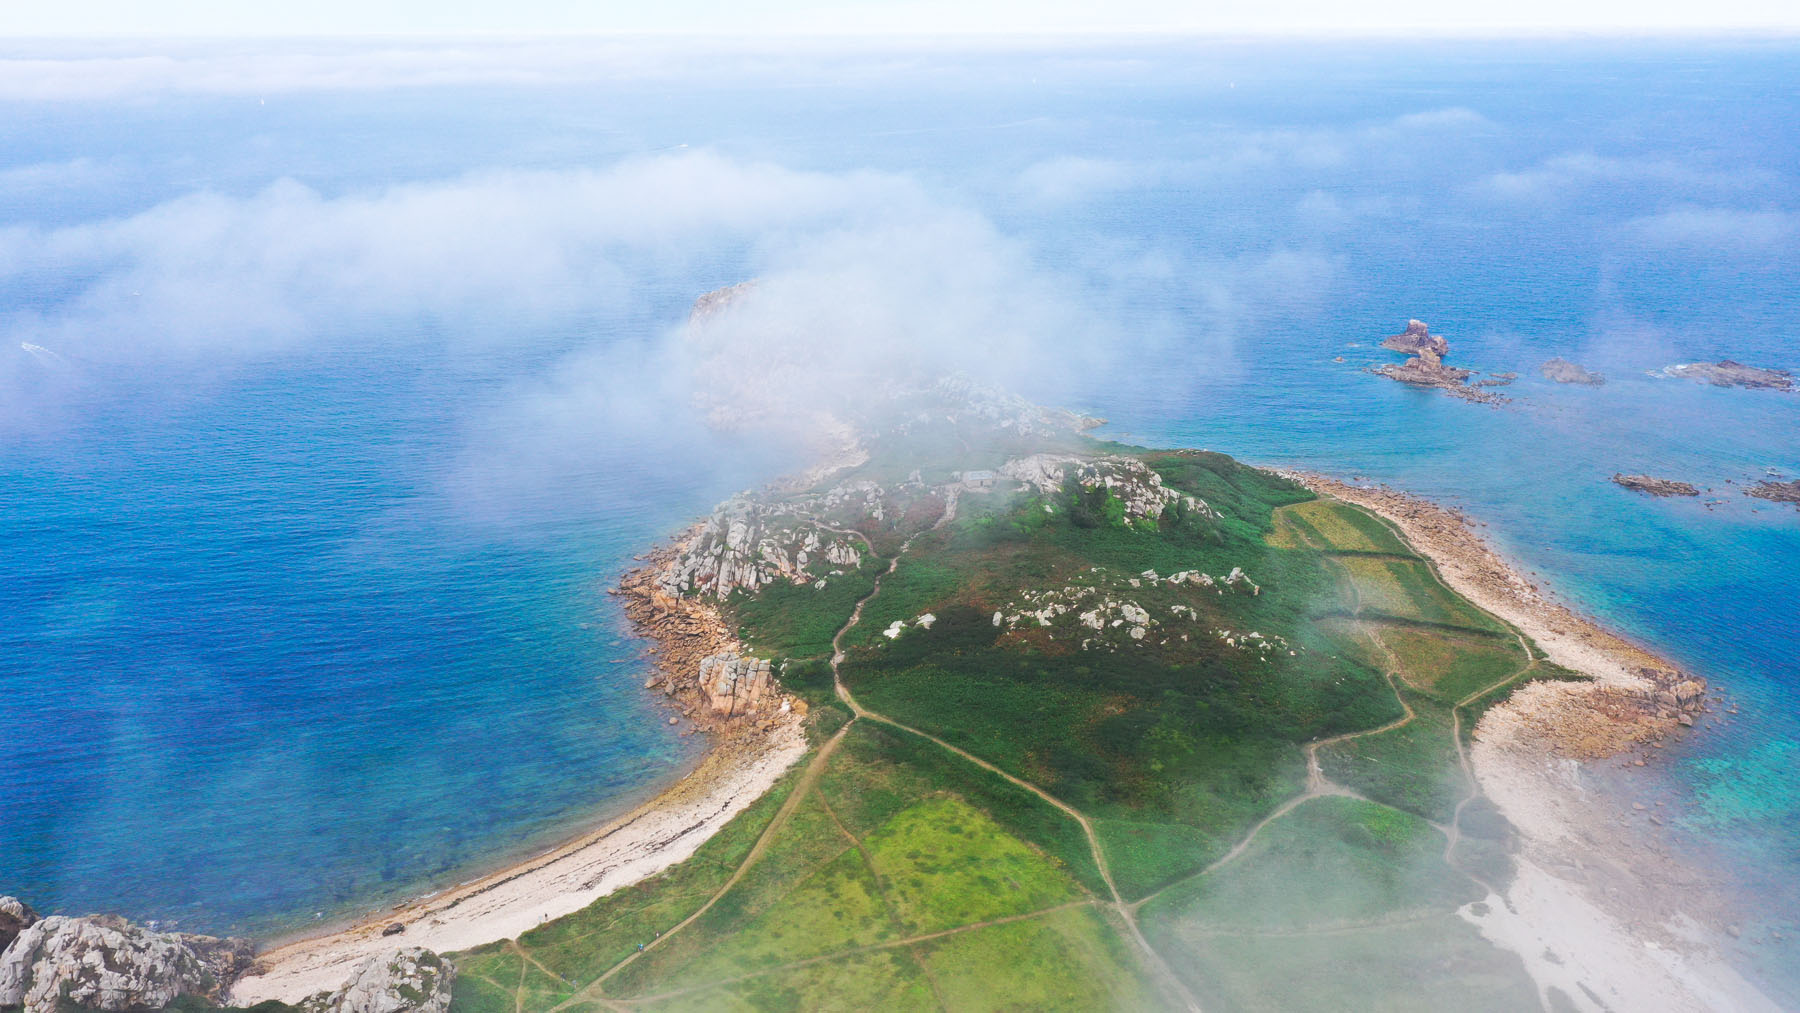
[341, 381]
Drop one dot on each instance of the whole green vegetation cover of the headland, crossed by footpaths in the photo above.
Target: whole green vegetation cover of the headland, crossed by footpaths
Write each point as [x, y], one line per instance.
[1147, 692]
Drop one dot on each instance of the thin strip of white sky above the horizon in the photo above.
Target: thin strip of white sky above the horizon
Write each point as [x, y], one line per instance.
[885, 17]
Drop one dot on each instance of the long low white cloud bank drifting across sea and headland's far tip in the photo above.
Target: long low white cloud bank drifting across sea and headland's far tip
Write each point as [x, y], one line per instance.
[586, 274]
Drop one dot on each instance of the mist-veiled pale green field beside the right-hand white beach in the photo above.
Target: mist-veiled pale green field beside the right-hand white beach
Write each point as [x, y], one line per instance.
[1340, 899]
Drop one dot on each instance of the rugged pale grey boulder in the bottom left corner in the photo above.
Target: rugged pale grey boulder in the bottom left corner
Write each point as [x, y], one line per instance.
[109, 964]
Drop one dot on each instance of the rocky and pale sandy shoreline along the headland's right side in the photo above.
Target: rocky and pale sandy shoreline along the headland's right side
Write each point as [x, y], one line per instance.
[1597, 911]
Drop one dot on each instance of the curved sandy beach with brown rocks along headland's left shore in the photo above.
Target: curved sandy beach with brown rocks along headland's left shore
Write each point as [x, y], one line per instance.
[741, 766]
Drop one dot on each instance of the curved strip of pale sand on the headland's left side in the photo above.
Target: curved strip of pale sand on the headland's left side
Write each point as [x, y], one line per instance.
[656, 836]
